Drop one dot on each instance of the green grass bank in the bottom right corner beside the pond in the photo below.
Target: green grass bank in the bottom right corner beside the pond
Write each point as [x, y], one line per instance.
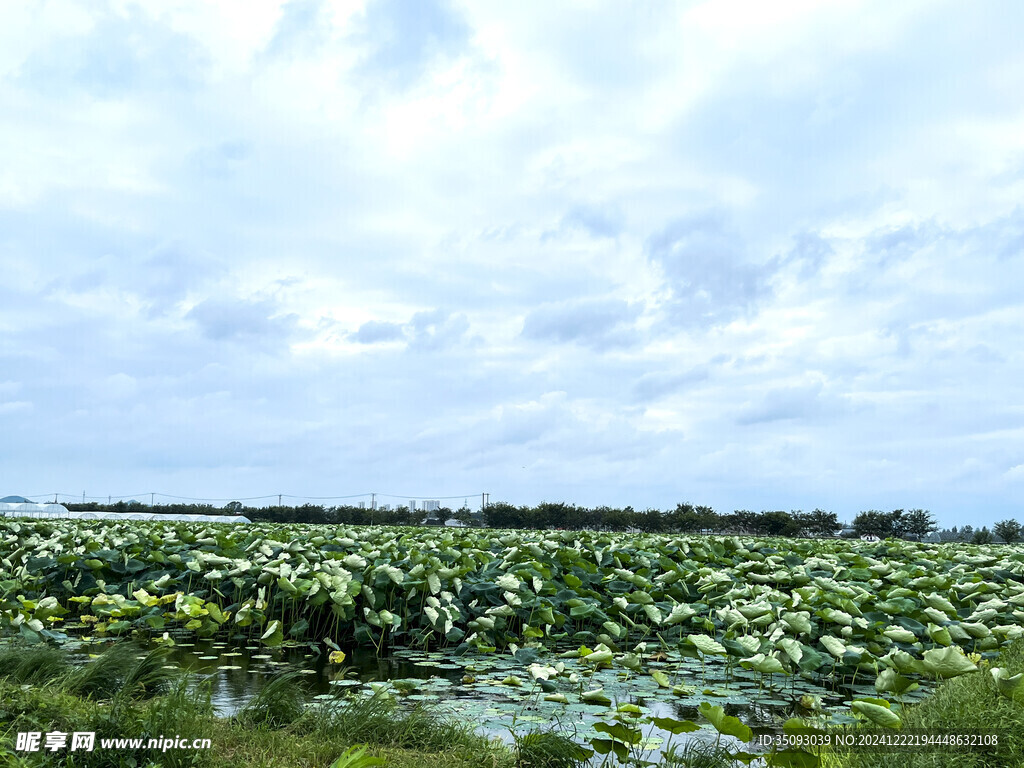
[964, 705]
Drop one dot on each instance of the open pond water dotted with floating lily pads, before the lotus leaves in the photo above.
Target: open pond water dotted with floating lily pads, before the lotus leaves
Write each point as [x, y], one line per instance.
[497, 693]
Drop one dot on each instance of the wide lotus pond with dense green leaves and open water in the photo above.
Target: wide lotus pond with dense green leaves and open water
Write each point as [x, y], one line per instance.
[528, 627]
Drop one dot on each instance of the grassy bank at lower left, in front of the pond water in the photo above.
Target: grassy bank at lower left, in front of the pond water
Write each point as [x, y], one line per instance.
[120, 696]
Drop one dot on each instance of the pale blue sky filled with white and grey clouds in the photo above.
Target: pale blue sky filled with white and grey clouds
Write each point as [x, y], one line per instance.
[743, 254]
